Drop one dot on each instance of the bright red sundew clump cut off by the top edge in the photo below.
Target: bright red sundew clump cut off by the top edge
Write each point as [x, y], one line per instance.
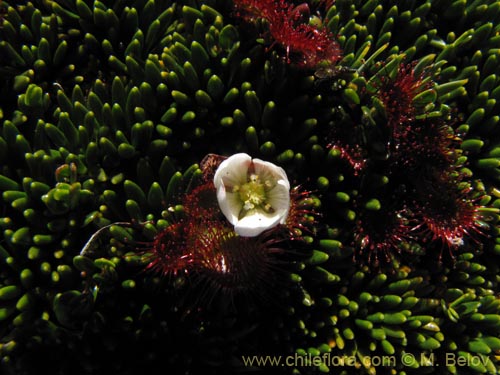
[304, 44]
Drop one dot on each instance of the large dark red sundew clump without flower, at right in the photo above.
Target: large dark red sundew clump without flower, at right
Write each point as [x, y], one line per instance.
[424, 197]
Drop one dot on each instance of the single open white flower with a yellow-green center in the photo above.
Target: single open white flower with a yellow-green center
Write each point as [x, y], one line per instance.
[254, 195]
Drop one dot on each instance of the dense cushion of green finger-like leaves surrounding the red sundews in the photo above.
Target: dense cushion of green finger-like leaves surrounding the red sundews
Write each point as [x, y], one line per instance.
[108, 107]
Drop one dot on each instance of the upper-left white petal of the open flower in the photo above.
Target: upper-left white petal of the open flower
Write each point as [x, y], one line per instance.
[232, 171]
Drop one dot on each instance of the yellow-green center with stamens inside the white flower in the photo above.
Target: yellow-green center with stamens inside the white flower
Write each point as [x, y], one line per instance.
[253, 193]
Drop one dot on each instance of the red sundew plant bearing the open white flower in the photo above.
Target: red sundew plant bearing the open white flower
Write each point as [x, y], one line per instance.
[207, 243]
